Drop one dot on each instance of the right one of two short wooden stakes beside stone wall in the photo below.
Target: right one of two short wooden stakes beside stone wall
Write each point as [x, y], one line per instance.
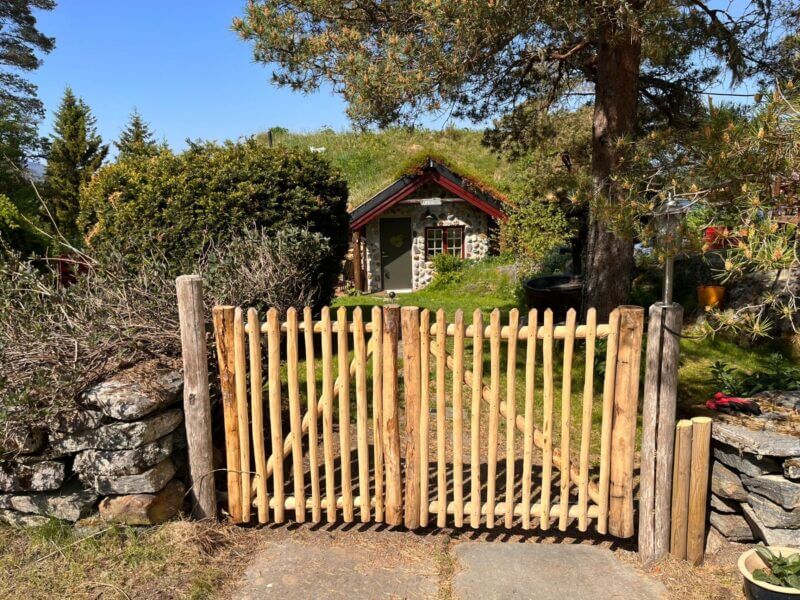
[698, 490]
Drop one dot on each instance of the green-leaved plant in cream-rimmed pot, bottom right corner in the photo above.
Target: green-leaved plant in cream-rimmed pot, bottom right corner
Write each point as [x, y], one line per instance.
[771, 573]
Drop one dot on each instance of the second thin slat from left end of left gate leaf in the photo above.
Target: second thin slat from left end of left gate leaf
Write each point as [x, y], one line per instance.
[257, 415]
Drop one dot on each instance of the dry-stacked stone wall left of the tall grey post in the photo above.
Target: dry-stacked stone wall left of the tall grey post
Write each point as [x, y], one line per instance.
[119, 446]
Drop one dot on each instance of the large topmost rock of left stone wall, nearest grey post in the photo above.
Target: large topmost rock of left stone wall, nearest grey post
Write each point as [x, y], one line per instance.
[137, 392]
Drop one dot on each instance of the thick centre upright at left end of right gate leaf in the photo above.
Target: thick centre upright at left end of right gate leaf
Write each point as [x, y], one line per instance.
[411, 386]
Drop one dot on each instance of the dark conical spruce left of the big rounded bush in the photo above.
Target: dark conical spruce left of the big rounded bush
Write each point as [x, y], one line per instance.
[76, 152]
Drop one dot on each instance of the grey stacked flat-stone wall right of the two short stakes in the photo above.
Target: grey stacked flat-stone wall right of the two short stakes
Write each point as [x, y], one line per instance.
[755, 485]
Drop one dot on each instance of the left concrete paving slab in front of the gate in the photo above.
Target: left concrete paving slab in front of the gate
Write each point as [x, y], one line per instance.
[297, 570]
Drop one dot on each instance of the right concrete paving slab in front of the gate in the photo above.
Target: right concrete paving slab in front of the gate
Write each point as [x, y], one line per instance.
[547, 572]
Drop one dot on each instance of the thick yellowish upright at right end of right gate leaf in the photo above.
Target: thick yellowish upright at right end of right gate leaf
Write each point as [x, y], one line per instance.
[623, 429]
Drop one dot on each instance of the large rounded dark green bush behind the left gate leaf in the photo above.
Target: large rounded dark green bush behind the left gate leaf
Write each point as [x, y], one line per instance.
[186, 203]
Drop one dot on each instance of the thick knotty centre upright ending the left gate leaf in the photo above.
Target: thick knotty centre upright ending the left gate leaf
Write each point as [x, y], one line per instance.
[391, 421]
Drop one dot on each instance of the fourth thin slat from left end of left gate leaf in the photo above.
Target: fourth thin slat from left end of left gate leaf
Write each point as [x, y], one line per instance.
[295, 415]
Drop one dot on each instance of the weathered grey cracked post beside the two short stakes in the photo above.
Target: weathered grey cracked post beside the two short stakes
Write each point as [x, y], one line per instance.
[658, 429]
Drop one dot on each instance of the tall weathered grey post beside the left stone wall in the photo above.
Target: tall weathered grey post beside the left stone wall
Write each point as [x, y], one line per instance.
[196, 401]
